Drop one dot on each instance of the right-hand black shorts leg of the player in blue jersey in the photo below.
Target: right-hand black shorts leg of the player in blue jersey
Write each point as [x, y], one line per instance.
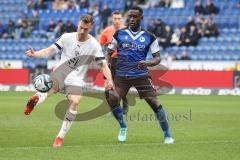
[145, 87]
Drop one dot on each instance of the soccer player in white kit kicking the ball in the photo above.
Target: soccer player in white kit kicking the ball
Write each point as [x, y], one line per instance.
[72, 45]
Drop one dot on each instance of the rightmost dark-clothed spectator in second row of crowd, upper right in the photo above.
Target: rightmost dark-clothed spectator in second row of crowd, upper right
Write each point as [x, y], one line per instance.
[212, 30]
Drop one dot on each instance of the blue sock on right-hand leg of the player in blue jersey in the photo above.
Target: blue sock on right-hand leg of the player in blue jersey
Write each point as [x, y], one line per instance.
[162, 118]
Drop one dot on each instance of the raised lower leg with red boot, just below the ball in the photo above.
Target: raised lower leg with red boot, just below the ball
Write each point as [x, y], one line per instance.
[35, 100]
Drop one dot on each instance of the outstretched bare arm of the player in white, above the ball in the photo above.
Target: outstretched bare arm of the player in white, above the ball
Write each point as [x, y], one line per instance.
[41, 53]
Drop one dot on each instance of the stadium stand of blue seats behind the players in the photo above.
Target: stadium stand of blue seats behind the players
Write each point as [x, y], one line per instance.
[226, 46]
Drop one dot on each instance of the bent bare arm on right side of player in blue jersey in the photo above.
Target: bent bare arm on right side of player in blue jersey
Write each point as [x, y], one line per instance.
[150, 63]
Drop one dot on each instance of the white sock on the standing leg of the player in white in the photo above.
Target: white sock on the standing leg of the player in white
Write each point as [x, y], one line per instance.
[67, 122]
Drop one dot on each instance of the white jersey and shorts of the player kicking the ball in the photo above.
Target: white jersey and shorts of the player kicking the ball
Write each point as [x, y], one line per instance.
[70, 48]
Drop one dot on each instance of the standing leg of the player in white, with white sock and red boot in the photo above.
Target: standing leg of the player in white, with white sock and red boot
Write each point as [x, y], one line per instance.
[68, 119]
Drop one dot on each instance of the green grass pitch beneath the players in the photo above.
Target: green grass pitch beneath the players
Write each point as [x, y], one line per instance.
[204, 127]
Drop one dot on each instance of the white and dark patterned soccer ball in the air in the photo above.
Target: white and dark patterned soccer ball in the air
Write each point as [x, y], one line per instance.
[43, 83]
